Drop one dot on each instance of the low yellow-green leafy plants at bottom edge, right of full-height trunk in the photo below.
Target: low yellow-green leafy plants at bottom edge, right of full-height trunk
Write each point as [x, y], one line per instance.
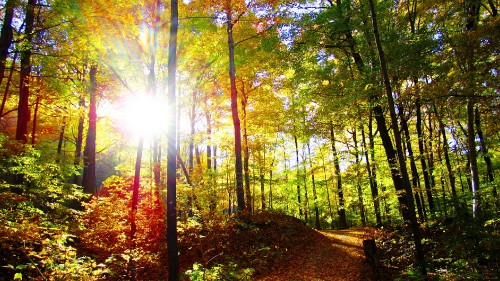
[219, 272]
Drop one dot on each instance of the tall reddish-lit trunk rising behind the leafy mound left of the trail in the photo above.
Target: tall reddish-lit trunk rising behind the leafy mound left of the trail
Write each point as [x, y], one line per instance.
[236, 120]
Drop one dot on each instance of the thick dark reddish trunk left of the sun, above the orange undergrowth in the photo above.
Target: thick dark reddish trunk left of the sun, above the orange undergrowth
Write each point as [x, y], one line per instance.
[89, 176]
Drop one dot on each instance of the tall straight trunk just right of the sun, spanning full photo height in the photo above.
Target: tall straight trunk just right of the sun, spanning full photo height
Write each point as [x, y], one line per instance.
[173, 256]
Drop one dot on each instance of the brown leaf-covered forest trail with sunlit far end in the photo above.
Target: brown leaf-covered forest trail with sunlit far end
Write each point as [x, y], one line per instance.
[335, 255]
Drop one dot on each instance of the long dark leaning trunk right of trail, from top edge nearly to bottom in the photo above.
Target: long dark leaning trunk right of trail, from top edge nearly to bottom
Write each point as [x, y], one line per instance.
[411, 218]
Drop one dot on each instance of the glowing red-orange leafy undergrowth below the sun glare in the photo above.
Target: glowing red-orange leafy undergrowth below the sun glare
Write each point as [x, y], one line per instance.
[107, 229]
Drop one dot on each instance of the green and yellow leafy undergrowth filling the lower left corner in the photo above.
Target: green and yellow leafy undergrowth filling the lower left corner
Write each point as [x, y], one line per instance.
[36, 219]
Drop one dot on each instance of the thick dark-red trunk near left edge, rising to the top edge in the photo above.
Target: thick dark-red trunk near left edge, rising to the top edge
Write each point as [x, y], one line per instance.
[23, 111]
